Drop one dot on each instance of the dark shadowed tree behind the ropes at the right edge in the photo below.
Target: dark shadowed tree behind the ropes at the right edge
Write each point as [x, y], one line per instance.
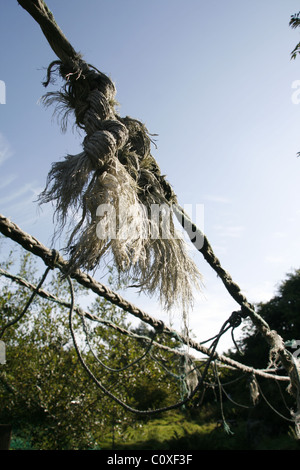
[274, 404]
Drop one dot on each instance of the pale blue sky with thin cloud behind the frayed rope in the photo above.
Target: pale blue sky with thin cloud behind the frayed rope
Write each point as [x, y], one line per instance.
[214, 80]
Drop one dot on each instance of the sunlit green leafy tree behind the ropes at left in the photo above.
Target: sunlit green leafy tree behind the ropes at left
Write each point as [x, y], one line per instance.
[45, 393]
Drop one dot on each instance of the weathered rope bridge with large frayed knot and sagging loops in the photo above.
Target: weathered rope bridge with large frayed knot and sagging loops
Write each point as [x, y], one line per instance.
[116, 165]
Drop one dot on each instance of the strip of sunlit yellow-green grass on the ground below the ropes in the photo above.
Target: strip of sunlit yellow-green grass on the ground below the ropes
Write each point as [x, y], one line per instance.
[174, 432]
